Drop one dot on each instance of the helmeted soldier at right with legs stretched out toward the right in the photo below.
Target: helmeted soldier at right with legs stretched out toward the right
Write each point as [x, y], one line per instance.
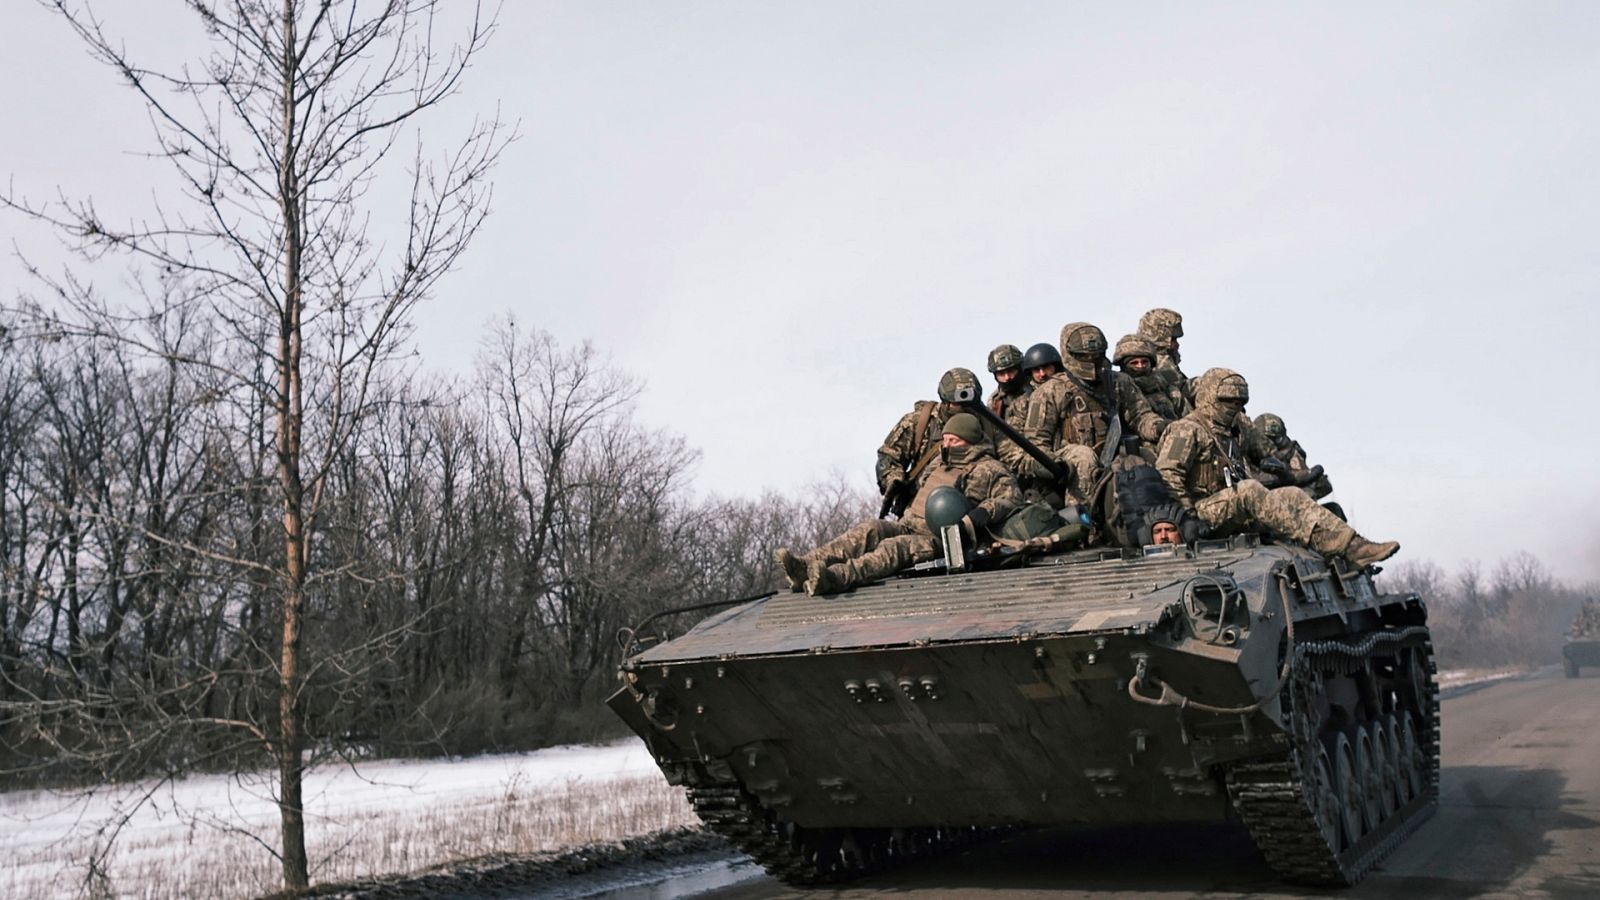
[1202, 460]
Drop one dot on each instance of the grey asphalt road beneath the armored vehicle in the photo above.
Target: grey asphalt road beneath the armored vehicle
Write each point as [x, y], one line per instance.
[1519, 818]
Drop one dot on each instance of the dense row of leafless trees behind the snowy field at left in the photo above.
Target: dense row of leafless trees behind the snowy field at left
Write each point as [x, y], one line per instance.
[481, 544]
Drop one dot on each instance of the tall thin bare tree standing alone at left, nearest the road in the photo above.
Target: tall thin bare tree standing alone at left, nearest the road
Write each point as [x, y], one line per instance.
[282, 140]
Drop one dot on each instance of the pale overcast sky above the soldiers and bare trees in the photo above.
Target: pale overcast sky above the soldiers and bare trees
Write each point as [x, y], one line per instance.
[790, 220]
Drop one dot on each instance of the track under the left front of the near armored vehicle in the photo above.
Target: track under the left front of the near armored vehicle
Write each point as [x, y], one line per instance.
[818, 856]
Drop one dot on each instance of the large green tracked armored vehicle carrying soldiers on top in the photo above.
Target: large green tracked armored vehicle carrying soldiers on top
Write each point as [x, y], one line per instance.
[1225, 680]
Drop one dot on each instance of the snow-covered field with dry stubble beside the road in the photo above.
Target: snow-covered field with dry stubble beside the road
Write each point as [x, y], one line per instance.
[214, 835]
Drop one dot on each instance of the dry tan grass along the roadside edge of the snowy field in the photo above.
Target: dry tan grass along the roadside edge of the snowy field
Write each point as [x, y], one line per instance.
[226, 864]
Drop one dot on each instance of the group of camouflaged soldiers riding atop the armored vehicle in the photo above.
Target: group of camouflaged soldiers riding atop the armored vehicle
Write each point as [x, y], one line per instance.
[1129, 456]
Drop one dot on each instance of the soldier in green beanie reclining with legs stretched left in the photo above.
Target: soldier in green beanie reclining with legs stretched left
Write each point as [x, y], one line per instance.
[879, 548]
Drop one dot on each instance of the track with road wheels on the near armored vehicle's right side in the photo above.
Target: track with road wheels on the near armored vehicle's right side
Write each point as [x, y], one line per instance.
[1343, 798]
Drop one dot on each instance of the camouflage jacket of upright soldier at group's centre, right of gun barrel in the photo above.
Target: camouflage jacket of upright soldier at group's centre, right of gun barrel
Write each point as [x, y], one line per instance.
[1062, 412]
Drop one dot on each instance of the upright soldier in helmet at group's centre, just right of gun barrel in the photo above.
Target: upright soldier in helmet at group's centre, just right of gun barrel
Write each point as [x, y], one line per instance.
[1074, 414]
